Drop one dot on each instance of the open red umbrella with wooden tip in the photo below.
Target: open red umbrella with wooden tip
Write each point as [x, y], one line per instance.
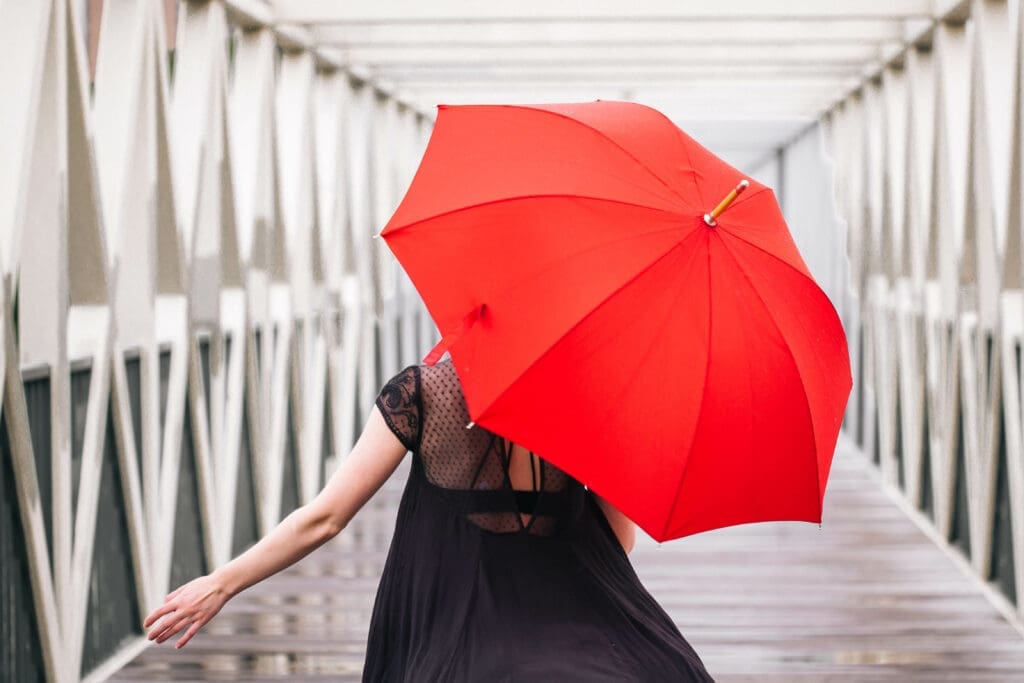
[687, 369]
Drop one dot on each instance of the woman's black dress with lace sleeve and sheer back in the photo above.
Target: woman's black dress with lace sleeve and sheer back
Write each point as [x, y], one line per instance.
[472, 593]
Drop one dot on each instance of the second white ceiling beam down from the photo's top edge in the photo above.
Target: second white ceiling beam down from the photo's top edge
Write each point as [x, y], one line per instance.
[610, 33]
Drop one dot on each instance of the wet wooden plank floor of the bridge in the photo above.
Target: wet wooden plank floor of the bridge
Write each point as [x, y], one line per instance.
[867, 597]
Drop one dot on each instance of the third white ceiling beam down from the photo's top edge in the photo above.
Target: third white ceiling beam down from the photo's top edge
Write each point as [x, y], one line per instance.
[726, 54]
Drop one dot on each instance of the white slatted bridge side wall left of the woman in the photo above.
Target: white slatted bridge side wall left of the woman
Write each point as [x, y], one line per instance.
[195, 317]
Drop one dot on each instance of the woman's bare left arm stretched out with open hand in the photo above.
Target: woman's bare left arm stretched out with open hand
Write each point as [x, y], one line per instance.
[373, 459]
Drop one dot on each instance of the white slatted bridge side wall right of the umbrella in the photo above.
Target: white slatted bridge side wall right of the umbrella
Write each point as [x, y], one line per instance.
[928, 160]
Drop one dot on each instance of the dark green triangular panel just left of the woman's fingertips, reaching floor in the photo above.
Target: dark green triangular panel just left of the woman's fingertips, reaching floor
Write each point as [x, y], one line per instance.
[113, 611]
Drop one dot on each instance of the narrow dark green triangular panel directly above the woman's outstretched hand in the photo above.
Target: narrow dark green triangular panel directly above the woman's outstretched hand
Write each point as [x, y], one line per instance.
[189, 561]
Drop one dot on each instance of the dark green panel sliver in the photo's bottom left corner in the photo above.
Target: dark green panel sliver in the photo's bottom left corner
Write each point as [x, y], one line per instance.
[21, 654]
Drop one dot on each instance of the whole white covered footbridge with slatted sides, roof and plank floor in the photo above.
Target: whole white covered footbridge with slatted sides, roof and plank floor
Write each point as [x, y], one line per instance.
[195, 318]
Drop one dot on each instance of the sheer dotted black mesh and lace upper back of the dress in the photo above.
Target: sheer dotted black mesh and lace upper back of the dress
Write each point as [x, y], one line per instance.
[425, 408]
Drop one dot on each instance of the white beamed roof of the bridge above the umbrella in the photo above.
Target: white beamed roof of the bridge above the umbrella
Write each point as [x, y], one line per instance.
[748, 74]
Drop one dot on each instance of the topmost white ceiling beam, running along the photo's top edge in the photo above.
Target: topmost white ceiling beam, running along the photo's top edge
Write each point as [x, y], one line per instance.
[400, 12]
